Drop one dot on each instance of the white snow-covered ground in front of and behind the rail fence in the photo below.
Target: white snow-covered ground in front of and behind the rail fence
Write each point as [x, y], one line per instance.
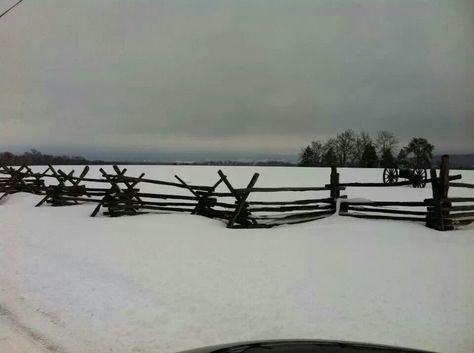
[163, 283]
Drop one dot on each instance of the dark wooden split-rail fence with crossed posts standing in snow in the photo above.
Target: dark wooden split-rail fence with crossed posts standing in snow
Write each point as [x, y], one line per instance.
[121, 195]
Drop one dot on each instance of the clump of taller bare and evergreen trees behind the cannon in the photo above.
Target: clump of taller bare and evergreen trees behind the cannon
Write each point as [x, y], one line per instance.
[350, 149]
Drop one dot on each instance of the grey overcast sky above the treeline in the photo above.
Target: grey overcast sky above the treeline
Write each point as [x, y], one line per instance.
[232, 79]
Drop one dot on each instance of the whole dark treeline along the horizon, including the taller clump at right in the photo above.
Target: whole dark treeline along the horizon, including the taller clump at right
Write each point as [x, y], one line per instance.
[316, 154]
